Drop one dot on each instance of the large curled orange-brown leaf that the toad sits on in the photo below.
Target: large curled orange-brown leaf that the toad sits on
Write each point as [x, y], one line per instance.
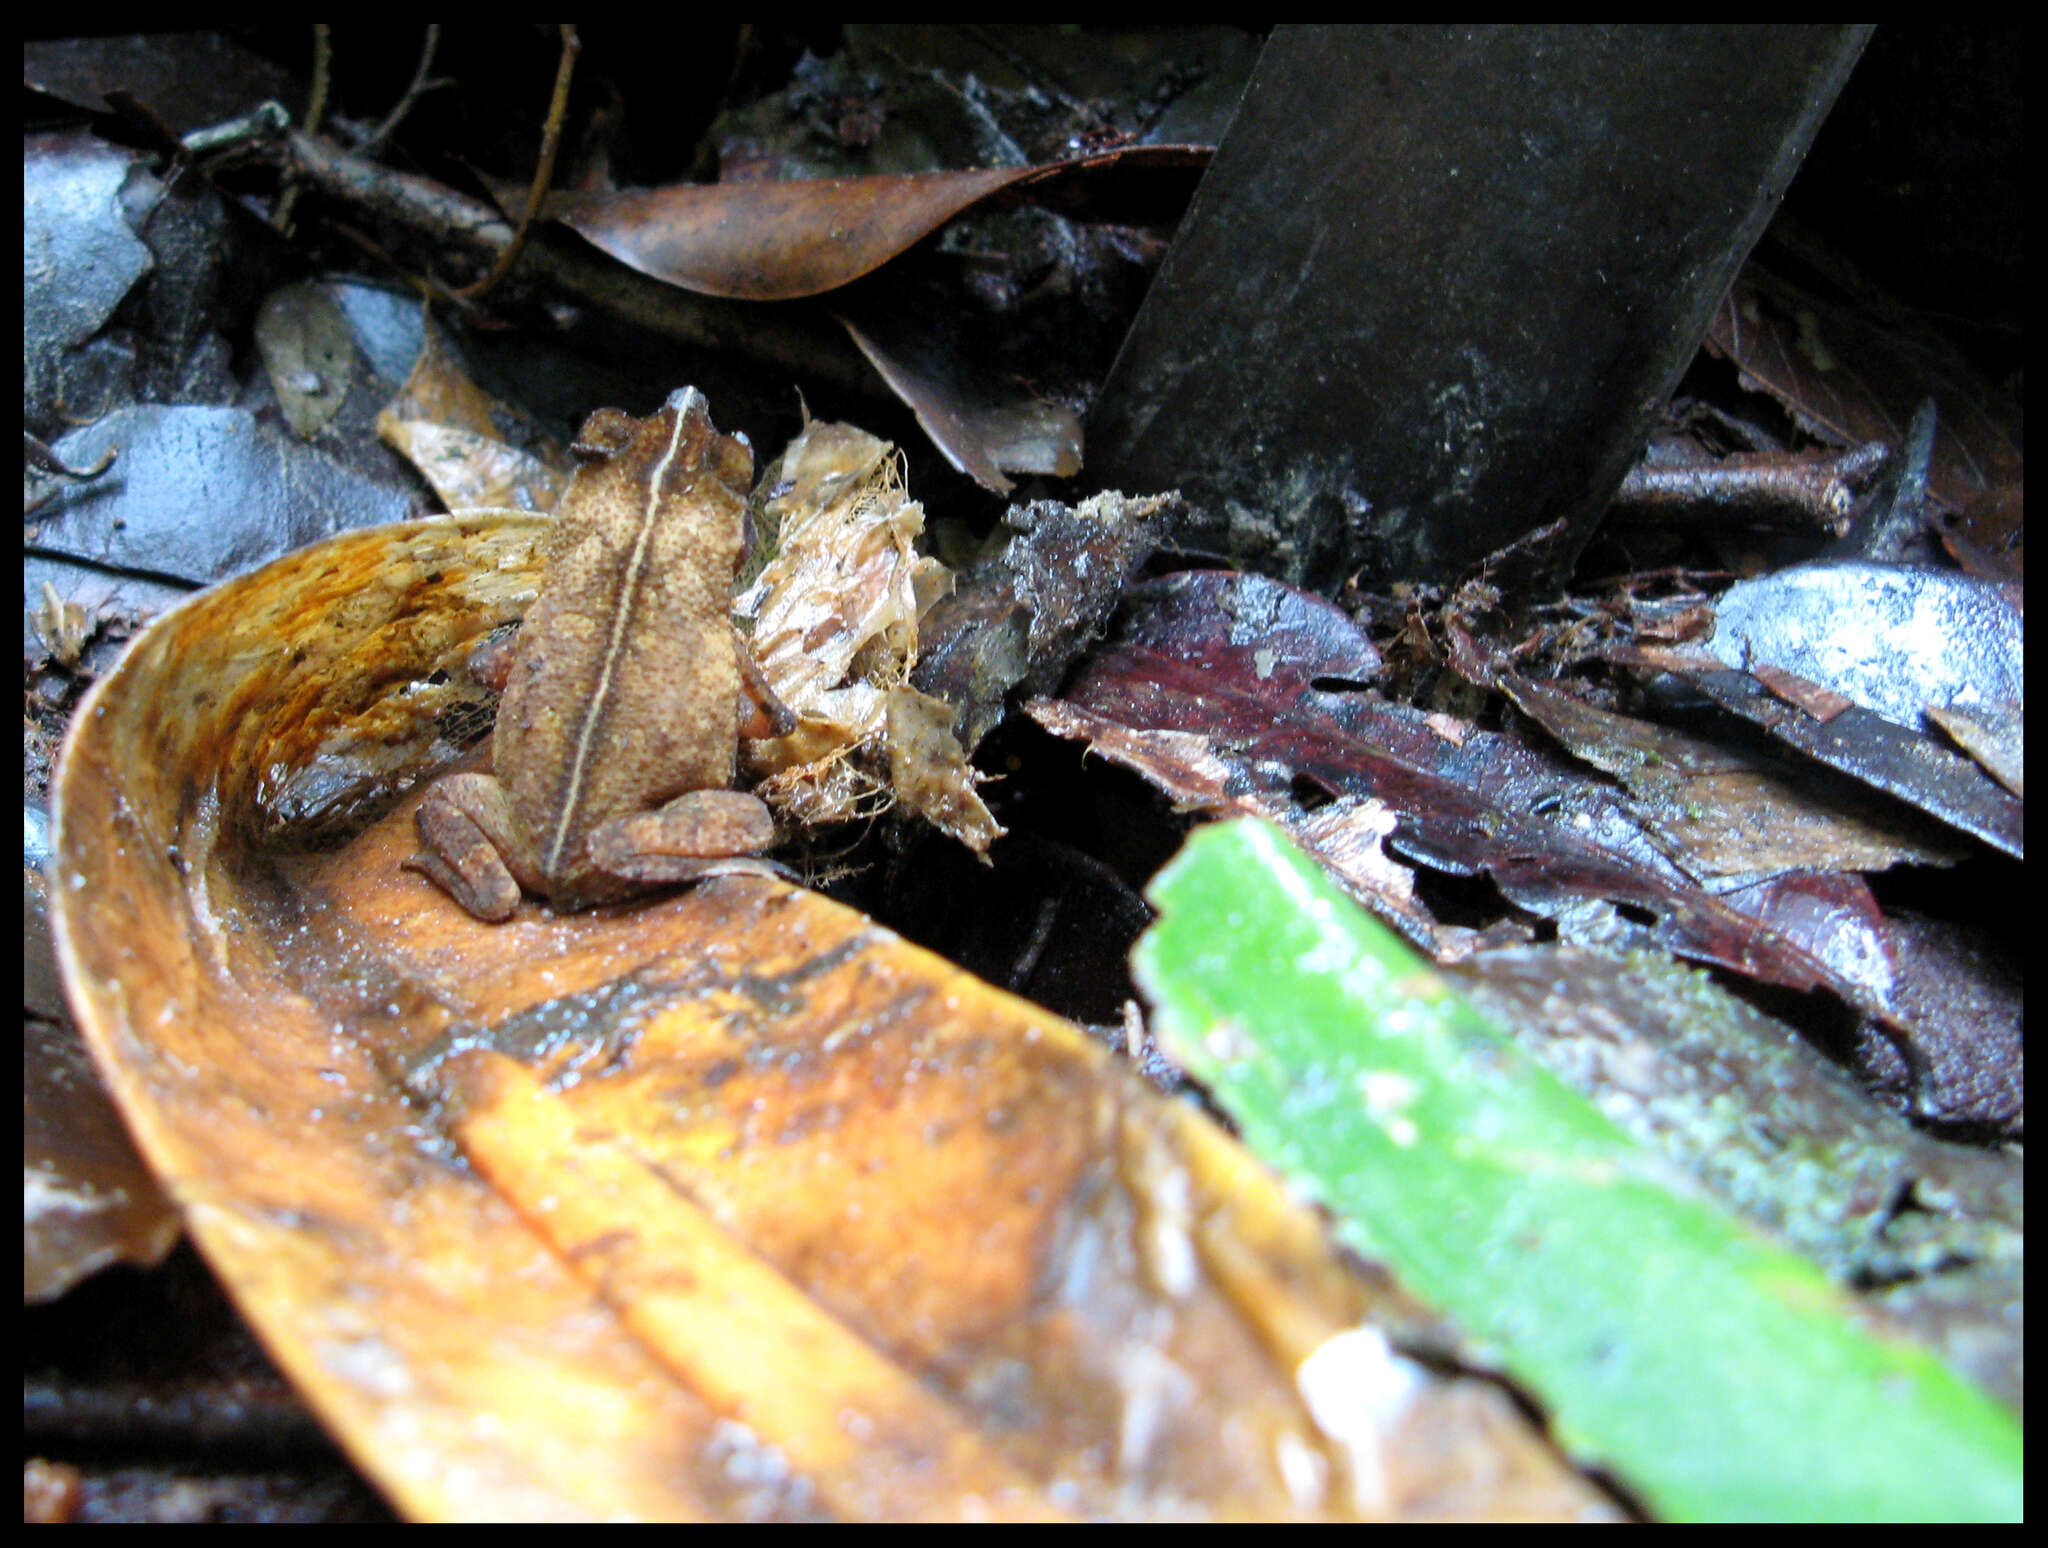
[722, 1207]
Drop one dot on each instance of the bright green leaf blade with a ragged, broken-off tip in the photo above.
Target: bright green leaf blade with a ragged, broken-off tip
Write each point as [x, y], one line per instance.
[1715, 1373]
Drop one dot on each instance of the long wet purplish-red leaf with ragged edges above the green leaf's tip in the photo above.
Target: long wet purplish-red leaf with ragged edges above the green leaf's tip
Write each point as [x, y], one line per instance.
[1271, 681]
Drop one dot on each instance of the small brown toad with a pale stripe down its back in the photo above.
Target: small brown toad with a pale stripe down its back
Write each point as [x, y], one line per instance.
[624, 697]
